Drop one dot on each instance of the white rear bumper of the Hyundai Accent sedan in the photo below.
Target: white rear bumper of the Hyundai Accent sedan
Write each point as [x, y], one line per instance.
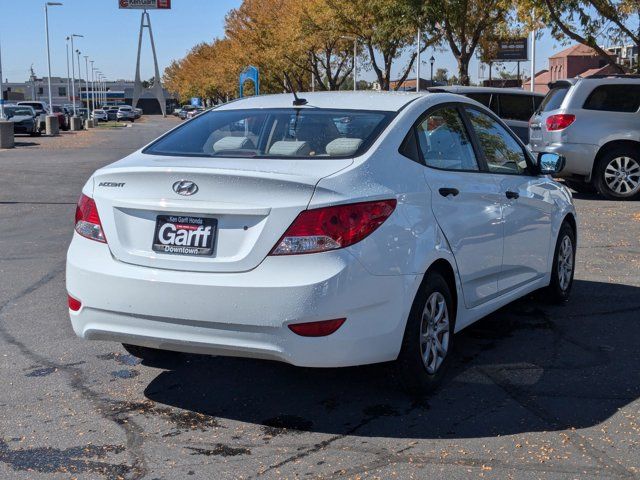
[242, 314]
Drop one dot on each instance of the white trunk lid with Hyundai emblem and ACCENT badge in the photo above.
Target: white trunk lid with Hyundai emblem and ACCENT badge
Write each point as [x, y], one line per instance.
[251, 201]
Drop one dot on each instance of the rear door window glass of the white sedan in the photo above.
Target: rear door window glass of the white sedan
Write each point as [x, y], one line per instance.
[444, 143]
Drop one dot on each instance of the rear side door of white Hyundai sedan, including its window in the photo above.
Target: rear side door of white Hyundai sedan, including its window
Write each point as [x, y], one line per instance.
[466, 203]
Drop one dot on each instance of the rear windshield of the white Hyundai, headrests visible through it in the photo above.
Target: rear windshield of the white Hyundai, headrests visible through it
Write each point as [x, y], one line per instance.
[275, 133]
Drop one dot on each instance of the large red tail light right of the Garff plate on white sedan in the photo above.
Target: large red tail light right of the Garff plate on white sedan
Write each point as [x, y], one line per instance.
[330, 228]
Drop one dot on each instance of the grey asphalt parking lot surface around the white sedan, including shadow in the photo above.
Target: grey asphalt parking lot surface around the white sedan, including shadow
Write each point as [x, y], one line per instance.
[535, 391]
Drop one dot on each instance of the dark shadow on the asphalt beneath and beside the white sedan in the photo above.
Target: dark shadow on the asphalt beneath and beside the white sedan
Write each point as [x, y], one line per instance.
[528, 367]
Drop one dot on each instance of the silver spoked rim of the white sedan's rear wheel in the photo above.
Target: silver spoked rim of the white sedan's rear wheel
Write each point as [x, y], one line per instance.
[434, 332]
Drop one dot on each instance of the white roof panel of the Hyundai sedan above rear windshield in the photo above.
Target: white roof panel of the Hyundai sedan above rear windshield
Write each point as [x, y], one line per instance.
[363, 100]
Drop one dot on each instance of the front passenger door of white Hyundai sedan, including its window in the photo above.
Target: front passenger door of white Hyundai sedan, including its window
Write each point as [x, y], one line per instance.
[527, 202]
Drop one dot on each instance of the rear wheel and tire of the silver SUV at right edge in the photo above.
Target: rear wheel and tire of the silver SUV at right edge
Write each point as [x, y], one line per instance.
[617, 174]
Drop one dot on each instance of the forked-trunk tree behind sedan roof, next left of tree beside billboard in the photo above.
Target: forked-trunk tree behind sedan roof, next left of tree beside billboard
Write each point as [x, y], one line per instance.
[386, 28]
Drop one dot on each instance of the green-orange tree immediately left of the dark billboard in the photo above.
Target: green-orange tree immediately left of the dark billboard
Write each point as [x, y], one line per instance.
[465, 22]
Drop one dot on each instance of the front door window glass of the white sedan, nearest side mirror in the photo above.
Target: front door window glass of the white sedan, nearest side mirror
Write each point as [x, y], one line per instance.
[502, 152]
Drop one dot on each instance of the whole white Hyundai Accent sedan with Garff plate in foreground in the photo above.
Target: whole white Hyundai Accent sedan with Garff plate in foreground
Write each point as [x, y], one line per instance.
[309, 247]
